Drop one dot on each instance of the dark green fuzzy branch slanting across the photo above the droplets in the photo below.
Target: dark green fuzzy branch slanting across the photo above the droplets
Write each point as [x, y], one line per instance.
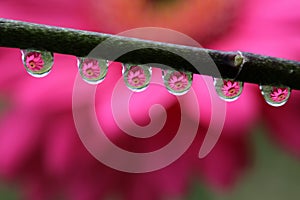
[257, 68]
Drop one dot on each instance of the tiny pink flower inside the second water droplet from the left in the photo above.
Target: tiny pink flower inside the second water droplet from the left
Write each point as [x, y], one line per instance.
[90, 68]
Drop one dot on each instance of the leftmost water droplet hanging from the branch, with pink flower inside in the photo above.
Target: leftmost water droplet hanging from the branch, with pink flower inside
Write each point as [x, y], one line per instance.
[37, 63]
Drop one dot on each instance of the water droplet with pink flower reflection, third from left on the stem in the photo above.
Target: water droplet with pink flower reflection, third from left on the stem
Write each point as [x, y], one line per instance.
[136, 77]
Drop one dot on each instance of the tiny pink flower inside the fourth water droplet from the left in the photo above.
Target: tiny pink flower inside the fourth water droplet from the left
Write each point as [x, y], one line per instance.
[178, 81]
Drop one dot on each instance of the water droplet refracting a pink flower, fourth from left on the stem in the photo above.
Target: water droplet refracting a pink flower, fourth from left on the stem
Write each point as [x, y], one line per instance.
[177, 83]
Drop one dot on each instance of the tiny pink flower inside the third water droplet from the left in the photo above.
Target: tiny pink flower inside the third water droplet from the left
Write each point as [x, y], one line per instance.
[136, 76]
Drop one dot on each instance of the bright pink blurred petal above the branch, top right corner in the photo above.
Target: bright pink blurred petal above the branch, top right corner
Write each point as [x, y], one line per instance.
[273, 32]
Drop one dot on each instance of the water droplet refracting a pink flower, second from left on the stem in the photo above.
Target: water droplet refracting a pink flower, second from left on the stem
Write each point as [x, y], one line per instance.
[92, 71]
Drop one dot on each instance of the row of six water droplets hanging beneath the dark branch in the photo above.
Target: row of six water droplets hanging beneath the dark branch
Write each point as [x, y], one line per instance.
[138, 77]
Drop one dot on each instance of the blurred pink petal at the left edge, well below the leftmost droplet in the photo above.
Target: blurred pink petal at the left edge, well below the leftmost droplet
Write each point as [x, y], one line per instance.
[18, 140]
